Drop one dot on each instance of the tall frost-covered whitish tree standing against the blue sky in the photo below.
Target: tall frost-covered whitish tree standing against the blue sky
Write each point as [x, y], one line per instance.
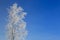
[16, 27]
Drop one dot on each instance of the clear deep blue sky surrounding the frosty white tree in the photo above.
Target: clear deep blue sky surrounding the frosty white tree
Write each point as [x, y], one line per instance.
[43, 18]
